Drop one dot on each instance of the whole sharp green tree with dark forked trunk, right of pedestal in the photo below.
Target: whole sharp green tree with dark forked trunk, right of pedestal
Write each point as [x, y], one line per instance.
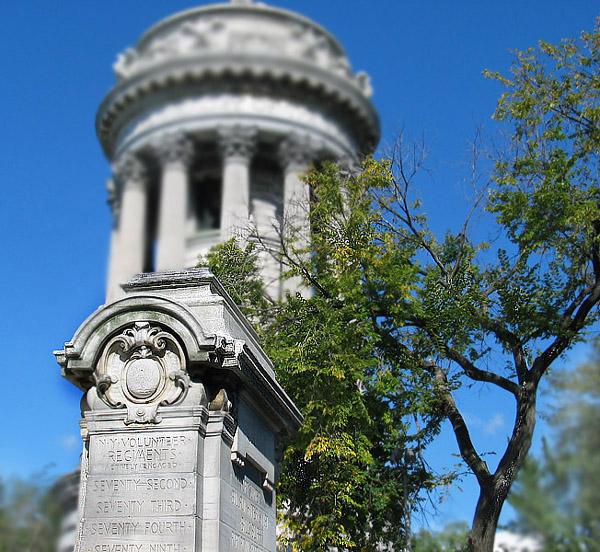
[400, 318]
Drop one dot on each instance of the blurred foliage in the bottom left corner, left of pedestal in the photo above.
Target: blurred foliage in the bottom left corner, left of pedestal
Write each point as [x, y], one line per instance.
[29, 517]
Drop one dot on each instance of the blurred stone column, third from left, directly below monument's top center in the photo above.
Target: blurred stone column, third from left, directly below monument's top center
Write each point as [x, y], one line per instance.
[237, 147]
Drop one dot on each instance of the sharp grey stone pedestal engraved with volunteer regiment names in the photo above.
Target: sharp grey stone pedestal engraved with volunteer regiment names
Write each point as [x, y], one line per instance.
[181, 419]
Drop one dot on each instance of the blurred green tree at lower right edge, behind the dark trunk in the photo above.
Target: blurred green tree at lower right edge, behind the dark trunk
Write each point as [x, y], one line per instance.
[556, 495]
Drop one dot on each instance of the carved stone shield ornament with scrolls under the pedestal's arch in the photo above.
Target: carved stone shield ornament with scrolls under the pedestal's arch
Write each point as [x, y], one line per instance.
[141, 369]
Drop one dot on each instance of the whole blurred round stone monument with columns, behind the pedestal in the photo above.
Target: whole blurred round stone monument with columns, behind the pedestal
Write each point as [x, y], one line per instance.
[216, 113]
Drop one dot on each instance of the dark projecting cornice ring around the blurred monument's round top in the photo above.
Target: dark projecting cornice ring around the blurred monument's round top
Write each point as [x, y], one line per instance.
[282, 77]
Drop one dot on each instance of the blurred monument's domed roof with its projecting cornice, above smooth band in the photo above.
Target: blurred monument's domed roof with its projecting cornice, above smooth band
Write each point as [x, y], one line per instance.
[245, 41]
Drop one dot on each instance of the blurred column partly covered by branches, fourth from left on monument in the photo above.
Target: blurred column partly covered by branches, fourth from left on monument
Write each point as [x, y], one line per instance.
[295, 157]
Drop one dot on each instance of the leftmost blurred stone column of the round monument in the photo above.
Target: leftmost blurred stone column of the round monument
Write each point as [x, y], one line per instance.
[129, 245]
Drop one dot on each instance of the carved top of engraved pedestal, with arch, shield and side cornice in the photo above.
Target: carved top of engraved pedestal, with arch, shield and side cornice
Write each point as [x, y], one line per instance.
[111, 341]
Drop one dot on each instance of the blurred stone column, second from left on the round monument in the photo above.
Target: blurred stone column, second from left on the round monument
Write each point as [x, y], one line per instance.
[175, 153]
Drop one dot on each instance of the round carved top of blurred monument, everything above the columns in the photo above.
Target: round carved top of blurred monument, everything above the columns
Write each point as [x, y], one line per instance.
[241, 62]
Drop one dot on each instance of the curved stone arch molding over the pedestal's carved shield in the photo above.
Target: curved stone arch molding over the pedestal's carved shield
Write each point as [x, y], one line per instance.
[80, 355]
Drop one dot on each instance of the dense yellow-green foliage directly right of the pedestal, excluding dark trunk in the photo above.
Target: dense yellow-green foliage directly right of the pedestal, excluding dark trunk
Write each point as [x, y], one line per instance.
[344, 480]
